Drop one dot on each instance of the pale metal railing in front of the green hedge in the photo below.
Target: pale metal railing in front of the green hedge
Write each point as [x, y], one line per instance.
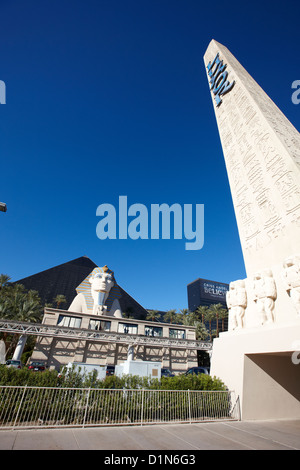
[30, 407]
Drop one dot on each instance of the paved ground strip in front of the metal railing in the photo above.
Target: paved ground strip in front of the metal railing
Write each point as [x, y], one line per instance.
[237, 435]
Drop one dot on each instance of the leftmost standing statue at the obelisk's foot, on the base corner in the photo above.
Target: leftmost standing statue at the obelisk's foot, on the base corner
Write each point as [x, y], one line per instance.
[236, 299]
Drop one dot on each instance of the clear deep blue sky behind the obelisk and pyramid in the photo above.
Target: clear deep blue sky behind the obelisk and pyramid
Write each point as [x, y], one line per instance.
[108, 98]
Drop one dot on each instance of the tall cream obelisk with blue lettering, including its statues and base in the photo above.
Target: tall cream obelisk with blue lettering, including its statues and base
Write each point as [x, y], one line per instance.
[256, 357]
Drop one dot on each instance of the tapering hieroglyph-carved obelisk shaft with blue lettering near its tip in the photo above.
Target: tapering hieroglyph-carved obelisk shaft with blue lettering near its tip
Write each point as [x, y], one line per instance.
[262, 156]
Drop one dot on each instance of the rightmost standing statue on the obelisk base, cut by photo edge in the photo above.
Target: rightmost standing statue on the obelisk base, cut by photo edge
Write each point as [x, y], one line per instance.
[291, 279]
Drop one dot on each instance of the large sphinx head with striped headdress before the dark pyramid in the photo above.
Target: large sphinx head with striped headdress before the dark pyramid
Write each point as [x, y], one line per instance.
[98, 294]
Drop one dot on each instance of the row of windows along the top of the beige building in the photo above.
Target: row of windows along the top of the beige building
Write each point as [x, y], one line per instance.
[129, 328]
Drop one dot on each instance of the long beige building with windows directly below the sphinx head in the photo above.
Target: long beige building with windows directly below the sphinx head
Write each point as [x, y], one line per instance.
[105, 340]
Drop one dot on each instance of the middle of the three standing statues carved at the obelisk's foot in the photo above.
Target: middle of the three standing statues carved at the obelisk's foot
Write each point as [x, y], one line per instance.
[265, 295]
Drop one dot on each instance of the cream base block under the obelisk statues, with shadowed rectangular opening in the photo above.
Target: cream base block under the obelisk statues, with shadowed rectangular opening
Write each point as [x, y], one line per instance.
[262, 365]
